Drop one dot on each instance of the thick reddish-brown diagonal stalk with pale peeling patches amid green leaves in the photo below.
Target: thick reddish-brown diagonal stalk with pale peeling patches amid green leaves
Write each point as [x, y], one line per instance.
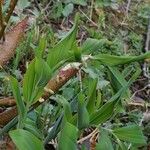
[52, 87]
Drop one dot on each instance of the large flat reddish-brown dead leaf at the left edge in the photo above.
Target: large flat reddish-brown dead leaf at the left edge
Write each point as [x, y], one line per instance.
[12, 39]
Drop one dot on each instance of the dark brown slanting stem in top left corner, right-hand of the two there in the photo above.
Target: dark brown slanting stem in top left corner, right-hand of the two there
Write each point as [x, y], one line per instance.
[10, 10]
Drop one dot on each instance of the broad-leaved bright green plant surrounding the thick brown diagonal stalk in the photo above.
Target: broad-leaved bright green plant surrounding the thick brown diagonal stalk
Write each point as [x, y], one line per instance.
[90, 111]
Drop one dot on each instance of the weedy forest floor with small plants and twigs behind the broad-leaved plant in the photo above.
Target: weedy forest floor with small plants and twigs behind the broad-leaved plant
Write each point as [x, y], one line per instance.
[115, 27]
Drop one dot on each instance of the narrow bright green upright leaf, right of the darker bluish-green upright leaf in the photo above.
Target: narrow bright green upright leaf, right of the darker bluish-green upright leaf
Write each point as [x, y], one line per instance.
[91, 95]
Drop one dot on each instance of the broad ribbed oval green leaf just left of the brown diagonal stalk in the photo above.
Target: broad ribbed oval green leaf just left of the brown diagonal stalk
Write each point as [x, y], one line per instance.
[35, 79]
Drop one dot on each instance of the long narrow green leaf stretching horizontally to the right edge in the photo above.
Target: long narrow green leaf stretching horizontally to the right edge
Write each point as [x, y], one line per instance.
[113, 60]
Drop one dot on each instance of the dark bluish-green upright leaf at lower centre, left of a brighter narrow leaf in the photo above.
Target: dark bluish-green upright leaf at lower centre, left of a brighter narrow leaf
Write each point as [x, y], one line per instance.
[83, 115]
